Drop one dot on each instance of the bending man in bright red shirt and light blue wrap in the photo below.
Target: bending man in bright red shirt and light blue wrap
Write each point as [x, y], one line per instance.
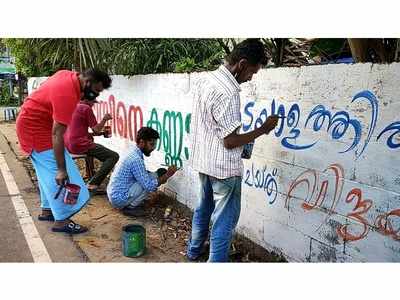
[41, 125]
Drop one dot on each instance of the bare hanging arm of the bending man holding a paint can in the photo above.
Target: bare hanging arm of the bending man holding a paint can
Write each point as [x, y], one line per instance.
[58, 147]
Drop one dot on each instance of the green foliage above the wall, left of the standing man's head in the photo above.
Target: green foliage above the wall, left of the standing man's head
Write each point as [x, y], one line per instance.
[42, 57]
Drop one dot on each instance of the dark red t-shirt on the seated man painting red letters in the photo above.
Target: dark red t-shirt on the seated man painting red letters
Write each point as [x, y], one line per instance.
[77, 138]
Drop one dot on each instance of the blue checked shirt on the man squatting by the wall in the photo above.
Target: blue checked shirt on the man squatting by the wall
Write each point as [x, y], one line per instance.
[129, 171]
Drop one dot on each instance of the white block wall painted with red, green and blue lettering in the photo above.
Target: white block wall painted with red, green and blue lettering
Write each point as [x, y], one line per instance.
[325, 186]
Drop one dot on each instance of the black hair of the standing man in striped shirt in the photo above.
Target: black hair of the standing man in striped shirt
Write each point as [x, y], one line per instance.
[251, 49]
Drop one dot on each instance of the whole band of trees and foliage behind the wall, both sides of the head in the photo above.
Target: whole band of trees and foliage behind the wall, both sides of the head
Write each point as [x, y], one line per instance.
[42, 57]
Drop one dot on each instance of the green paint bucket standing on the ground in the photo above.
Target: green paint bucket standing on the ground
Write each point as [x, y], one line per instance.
[133, 240]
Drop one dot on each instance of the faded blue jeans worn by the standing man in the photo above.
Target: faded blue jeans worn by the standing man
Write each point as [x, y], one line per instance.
[220, 204]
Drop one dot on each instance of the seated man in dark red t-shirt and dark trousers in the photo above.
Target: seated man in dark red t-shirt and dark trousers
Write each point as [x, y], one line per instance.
[79, 141]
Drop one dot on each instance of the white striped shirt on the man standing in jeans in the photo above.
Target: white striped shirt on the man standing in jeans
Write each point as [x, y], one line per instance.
[215, 115]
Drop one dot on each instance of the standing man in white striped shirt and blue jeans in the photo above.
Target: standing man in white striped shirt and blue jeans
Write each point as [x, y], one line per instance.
[217, 147]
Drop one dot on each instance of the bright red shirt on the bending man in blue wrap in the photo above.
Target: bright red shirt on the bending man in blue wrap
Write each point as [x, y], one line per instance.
[54, 100]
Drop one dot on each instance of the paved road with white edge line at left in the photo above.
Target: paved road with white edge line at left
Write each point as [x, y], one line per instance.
[23, 245]
